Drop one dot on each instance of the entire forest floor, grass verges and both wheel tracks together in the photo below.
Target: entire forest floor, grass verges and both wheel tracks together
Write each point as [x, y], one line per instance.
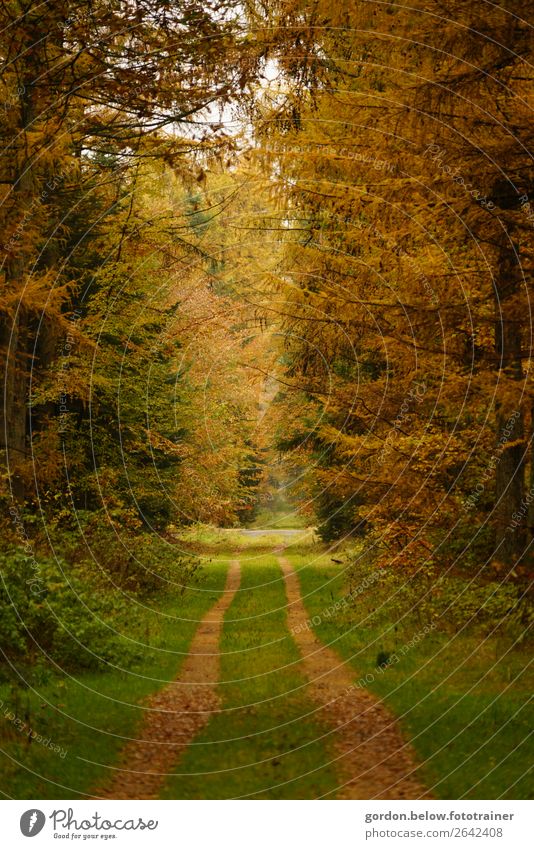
[250, 690]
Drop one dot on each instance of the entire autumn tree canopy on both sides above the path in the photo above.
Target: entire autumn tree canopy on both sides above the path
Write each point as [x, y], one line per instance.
[279, 245]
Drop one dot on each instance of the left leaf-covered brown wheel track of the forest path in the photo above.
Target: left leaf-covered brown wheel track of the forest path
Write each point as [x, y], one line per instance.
[176, 714]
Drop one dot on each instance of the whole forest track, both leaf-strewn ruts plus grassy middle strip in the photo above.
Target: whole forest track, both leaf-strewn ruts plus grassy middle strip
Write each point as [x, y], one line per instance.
[356, 739]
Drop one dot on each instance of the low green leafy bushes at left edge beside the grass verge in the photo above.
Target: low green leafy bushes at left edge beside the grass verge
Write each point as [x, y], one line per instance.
[75, 611]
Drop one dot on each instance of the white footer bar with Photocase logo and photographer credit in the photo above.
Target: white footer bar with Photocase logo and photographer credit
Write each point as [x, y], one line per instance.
[270, 824]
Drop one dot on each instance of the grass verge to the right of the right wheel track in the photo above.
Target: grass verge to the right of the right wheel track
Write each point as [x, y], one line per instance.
[465, 701]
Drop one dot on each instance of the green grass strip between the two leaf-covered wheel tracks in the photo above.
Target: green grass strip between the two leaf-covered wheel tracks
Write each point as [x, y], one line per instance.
[264, 745]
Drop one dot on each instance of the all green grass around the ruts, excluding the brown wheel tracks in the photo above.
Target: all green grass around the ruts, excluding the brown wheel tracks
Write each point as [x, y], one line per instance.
[463, 700]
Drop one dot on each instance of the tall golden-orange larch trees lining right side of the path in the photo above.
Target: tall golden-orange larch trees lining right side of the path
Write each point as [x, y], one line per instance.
[408, 269]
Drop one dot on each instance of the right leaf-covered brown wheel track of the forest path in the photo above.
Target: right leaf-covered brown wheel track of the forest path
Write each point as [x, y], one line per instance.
[374, 761]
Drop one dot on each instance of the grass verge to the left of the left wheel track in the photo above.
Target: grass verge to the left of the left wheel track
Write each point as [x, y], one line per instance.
[89, 715]
